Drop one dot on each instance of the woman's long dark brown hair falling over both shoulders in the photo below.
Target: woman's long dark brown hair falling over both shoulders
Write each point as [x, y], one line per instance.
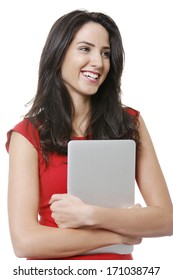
[52, 109]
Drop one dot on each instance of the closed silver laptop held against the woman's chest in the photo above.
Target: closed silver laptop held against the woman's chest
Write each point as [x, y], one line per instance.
[102, 172]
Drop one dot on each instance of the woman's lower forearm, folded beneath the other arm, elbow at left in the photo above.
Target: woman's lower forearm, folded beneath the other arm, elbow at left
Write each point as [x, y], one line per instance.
[46, 242]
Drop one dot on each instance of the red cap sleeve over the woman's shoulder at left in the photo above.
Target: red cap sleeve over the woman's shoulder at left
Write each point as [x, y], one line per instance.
[28, 130]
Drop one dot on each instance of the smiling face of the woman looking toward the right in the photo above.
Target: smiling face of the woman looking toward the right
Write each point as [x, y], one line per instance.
[87, 60]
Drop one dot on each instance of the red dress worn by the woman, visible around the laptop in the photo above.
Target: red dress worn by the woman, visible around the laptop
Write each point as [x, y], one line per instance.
[53, 179]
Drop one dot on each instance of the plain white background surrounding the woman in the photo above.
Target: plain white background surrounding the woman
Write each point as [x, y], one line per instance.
[146, 28]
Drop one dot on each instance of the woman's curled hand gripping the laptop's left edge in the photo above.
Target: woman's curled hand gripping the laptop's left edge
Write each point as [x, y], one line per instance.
[68, 211]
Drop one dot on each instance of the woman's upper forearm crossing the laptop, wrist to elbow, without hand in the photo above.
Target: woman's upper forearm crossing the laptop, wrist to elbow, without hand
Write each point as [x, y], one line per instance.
[143, 222]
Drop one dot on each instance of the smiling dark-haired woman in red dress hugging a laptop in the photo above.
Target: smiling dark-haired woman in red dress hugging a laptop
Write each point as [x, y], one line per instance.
[79, 97]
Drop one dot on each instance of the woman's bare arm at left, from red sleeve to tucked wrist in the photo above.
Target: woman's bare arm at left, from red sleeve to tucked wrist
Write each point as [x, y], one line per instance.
[28, 237]
